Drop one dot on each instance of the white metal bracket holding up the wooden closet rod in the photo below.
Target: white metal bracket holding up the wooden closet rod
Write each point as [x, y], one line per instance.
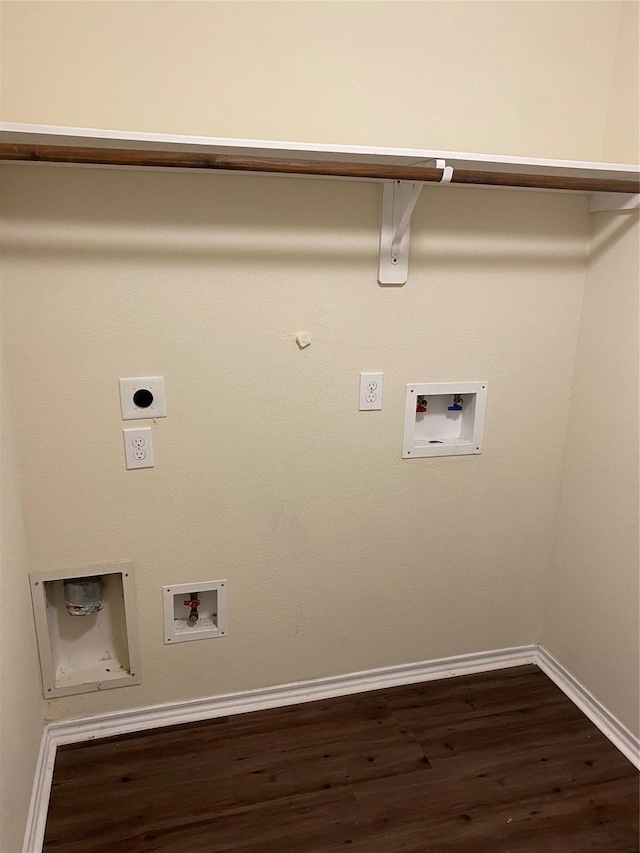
[398, 202]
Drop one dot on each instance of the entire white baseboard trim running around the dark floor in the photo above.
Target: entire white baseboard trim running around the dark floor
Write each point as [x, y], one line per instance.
[125, 722]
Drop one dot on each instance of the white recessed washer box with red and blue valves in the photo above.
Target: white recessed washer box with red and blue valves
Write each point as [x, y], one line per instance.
[444, 419]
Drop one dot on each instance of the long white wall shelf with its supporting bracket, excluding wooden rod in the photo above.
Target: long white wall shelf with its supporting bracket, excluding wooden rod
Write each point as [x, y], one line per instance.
[399, 196]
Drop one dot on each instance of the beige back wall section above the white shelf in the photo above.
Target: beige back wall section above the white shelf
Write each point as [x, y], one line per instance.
[513, 78]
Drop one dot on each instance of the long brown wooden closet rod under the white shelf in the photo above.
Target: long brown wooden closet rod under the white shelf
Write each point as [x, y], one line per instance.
[290, 166]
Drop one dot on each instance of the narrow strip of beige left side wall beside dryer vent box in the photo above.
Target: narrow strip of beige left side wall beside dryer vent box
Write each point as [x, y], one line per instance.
[21, 703]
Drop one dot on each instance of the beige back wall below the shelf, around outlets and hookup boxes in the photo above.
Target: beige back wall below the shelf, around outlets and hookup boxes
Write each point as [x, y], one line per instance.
[340, 555]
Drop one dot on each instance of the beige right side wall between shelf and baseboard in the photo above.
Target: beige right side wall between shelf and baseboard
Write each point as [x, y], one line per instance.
[591, 623]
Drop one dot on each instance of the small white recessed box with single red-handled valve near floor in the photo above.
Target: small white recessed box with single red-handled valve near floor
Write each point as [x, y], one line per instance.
[212, 612]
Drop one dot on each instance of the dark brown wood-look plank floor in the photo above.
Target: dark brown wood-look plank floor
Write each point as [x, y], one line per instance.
[500, 762]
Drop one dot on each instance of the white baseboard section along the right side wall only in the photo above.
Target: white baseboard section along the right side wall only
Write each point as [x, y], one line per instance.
[610, 726]
